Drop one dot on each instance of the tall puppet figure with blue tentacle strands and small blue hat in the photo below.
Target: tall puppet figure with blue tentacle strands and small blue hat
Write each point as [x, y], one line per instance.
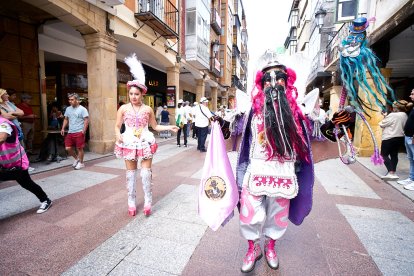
[357, 63]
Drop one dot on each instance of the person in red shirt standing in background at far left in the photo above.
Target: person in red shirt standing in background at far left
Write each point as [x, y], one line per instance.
[27, 121]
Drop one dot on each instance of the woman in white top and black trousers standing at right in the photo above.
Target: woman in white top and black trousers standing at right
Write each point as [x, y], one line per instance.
[393, 136]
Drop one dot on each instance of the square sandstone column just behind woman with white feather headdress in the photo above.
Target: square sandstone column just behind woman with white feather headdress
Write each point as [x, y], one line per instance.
[102, 90]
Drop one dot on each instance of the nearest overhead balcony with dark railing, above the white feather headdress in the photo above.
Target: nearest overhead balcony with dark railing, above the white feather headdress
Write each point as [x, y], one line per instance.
[160, 15]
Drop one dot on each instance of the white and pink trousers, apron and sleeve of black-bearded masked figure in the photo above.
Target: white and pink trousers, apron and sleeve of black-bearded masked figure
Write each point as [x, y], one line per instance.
[267, 210]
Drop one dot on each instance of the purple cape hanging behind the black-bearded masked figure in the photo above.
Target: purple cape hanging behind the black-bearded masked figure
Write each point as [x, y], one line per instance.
[301, 205]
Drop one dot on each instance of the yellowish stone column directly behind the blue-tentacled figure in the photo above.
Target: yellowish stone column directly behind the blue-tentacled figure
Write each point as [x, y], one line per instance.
[362, 140]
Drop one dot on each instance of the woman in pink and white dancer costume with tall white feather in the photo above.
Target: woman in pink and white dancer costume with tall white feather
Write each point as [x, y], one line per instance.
[137, 145]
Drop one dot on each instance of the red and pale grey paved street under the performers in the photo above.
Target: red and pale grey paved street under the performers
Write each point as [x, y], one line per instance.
[359, 225]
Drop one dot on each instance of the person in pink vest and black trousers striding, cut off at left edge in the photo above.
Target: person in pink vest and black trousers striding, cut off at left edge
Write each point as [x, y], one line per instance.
[14, 163]
